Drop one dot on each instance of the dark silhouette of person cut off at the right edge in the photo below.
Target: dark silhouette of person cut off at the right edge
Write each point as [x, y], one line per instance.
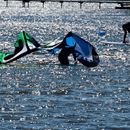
[126, 29]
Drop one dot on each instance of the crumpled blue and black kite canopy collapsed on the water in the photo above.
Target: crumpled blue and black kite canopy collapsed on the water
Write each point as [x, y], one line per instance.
[81, 50]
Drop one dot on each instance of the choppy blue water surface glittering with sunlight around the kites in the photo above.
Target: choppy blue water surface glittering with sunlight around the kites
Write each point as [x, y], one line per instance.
[37, 93]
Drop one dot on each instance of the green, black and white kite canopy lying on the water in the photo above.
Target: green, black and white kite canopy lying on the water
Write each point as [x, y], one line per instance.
[24, 45]
